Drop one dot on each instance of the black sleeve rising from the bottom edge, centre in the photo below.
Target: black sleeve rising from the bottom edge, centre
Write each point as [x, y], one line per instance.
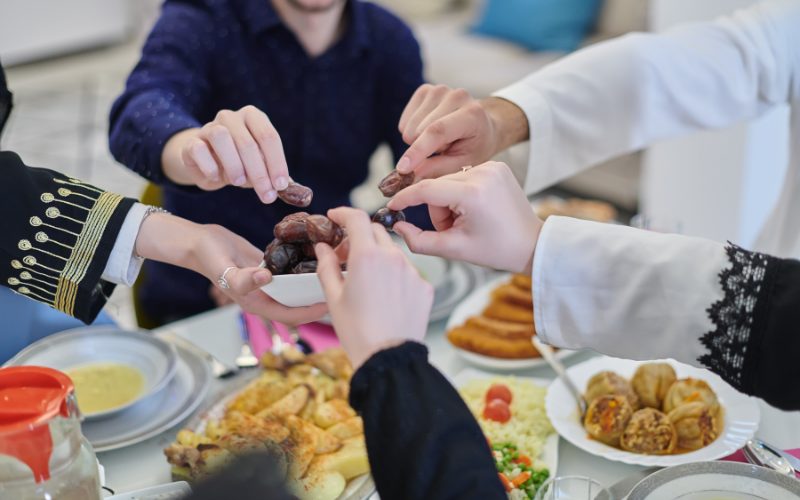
[422, 440]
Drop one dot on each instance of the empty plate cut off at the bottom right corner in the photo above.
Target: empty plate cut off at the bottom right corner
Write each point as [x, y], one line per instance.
[716, 480]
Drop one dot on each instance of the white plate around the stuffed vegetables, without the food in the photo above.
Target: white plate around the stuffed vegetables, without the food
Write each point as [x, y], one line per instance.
[742, 414]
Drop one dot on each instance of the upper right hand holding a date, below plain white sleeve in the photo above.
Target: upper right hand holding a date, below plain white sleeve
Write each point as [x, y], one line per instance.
[463, 130]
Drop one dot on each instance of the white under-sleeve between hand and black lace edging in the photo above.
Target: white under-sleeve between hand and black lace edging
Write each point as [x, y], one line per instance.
[625, 292]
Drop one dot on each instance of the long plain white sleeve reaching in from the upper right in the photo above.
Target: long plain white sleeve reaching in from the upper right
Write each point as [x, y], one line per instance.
[625, 94]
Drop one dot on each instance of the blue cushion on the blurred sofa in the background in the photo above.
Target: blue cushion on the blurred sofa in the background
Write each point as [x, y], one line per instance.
[554, 25]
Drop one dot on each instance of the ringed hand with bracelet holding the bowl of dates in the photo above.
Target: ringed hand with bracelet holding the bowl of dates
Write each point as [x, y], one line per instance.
[210, 250]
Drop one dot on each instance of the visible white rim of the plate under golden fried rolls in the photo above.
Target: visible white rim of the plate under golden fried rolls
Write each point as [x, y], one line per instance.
[474, 305]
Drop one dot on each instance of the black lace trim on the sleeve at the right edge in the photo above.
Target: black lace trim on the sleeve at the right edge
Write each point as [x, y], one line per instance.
[740, 317]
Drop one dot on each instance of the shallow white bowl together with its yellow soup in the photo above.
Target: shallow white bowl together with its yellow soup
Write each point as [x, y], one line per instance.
[112, 369]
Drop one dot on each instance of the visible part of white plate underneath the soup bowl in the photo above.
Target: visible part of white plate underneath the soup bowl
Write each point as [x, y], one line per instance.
[157, 413]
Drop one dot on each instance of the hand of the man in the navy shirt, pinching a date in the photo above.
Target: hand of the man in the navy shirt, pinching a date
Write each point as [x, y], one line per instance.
[239, 148]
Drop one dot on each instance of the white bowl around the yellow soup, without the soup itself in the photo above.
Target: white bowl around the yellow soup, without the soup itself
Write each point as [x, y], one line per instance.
[155, 358]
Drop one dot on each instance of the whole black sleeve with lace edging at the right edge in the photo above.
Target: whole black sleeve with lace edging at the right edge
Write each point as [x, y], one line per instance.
[756, 344]
